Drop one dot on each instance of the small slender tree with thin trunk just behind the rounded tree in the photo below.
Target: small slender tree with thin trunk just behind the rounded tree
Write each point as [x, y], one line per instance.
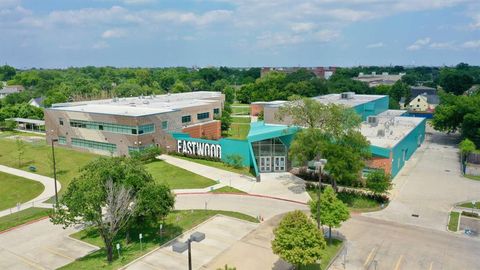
[332, 210]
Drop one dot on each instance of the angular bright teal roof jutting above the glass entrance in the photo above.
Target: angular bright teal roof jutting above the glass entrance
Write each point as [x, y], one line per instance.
[260, 131]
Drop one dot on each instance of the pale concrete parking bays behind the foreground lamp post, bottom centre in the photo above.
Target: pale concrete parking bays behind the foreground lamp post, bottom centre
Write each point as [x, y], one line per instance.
[221, 232]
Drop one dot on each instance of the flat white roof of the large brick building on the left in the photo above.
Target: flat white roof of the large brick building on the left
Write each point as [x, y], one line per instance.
[142, 105]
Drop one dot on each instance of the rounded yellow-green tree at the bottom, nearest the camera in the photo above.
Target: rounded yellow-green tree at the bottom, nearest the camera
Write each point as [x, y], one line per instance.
[297, 240]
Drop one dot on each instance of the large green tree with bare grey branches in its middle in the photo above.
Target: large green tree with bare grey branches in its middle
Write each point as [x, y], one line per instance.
[107, 193]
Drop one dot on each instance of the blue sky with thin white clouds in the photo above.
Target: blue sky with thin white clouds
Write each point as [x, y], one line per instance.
[238, 33]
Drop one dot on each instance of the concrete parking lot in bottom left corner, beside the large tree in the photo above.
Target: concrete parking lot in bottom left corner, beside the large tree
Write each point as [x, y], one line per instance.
[40, 245]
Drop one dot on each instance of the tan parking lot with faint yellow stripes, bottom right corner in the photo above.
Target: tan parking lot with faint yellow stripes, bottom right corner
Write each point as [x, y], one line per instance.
[394, 246]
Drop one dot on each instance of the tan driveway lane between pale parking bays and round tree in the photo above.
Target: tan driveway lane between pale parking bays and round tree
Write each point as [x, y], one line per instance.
[256, 246]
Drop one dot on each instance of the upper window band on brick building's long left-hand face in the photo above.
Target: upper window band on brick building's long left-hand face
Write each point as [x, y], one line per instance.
[114, 128]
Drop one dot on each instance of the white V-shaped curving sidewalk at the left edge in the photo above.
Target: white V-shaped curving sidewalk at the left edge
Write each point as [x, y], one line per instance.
[48, 191]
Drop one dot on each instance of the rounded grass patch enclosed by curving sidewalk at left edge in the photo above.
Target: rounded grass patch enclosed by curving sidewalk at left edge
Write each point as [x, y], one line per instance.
[14, 189]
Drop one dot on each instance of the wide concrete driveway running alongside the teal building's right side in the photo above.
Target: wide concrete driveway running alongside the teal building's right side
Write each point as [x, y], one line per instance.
[429, 185]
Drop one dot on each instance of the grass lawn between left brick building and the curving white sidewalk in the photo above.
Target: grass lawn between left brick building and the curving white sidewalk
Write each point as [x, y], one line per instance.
[38, 154]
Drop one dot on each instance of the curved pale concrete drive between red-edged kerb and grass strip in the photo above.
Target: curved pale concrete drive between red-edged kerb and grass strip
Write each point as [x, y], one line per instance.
[254, 206]
